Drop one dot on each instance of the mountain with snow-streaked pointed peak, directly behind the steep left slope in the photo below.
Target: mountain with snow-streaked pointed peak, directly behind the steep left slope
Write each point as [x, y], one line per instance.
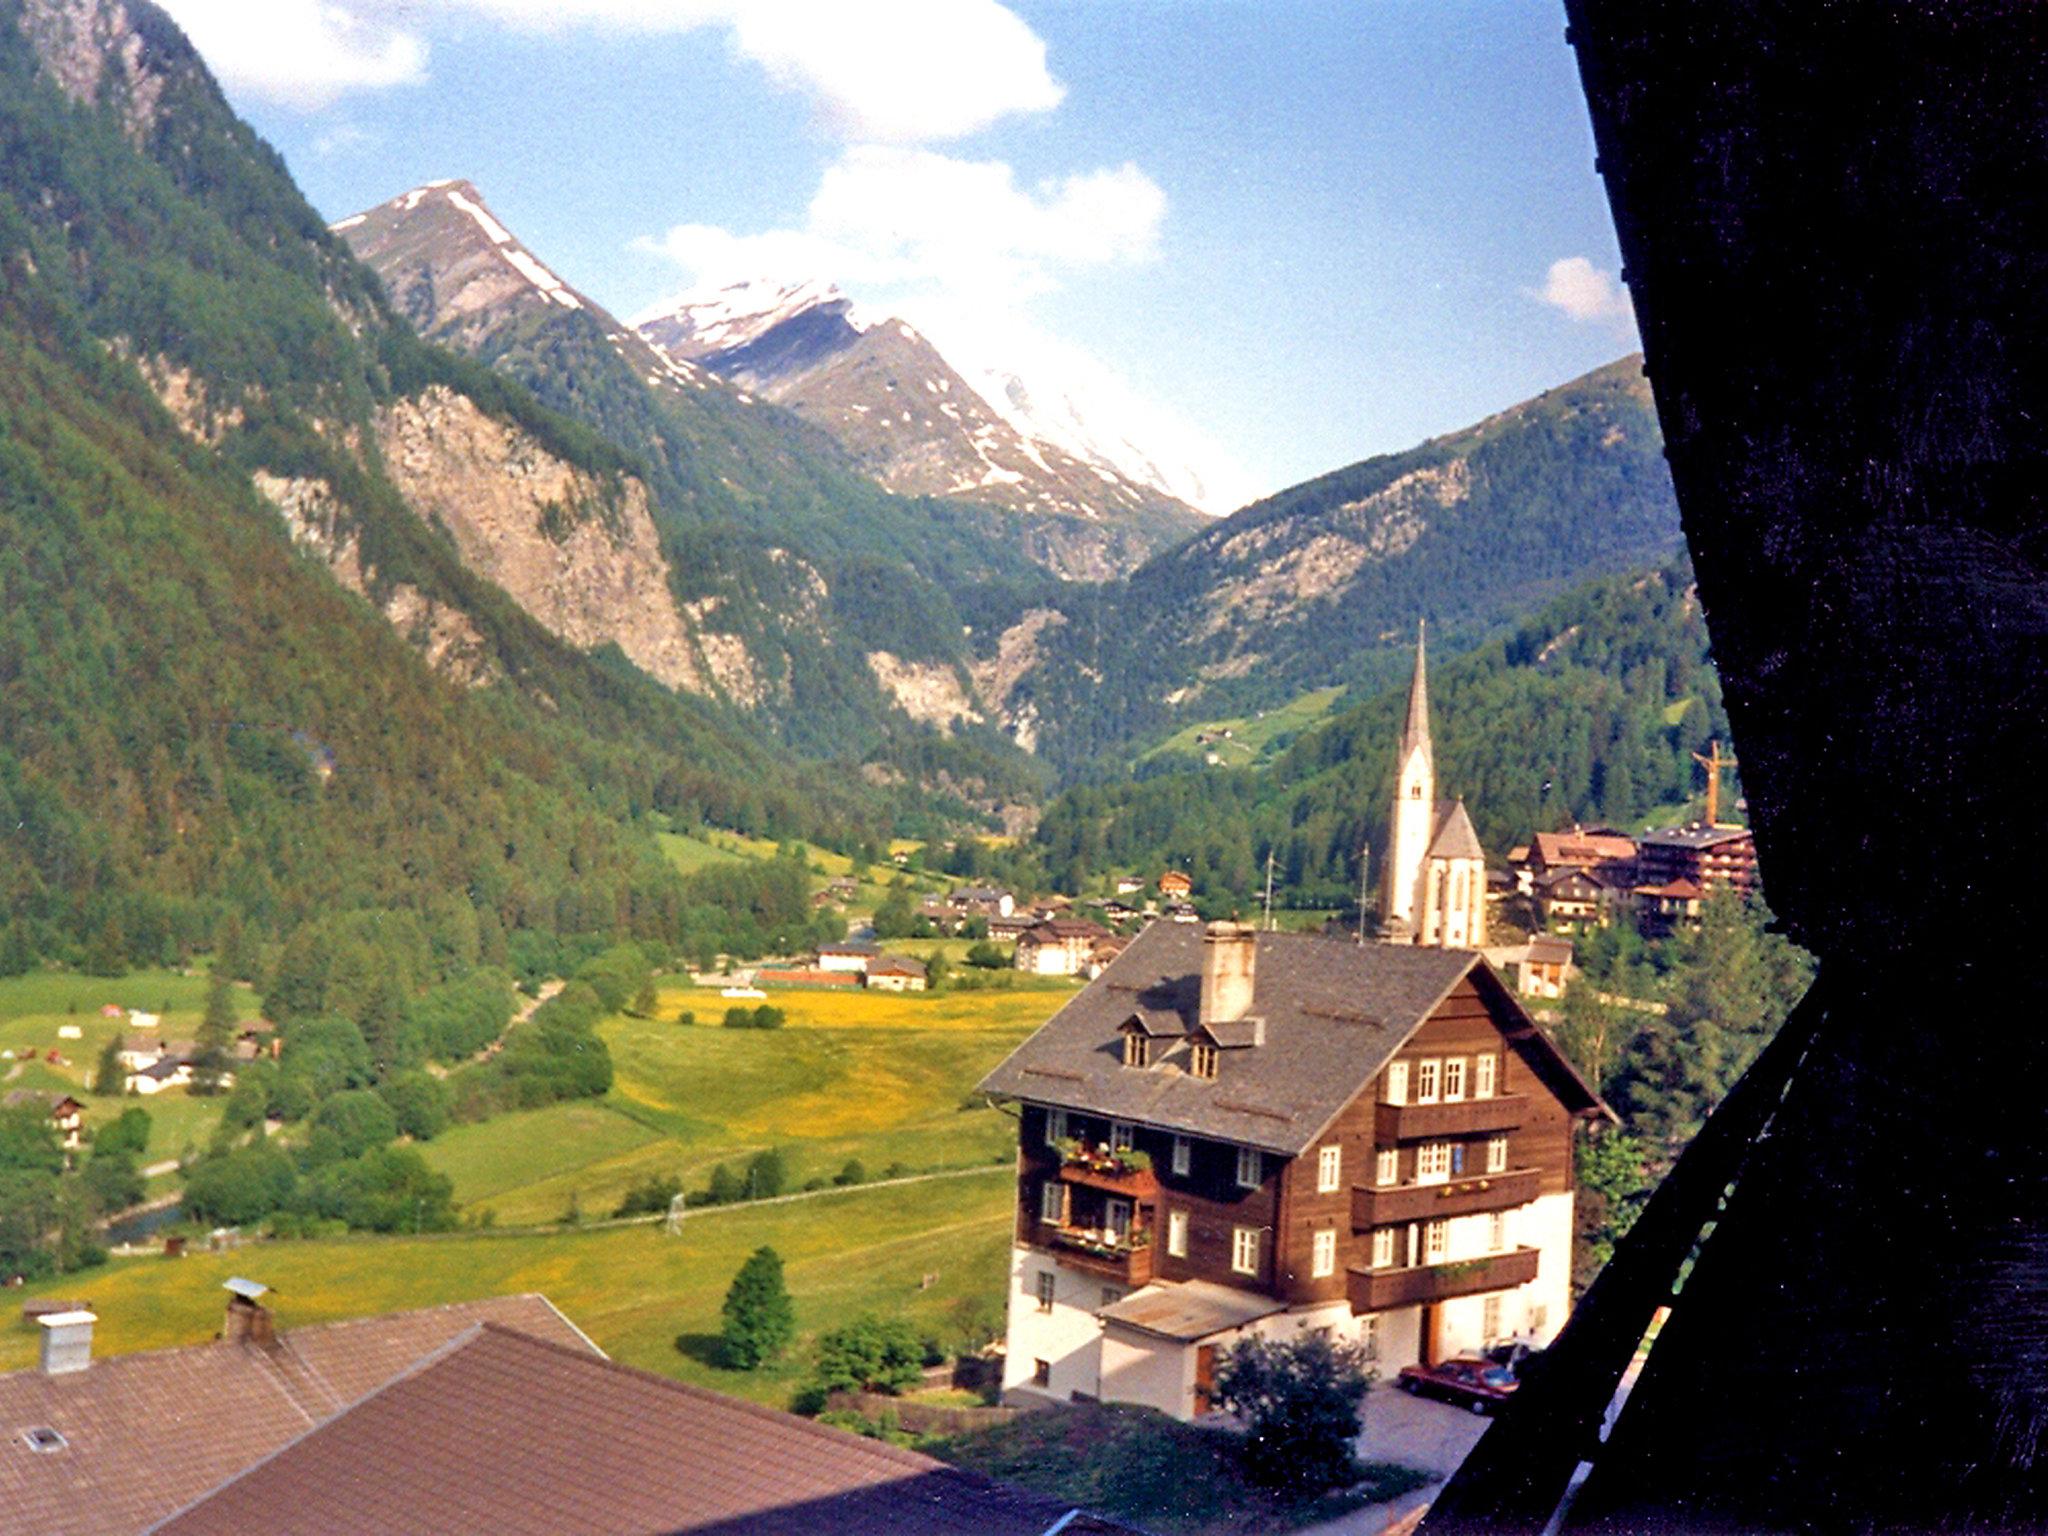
[816, 599]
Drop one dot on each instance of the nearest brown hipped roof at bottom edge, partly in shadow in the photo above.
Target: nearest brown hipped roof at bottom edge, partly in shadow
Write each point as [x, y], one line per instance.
[503, 1435]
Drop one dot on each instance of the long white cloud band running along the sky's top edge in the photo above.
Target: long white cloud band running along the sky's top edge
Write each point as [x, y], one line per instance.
[880, 71]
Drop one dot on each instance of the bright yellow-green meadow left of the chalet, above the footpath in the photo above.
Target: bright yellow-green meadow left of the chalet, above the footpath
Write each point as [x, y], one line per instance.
[882, 1078]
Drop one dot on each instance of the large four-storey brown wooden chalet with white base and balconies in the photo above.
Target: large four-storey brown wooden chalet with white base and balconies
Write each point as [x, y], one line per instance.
[1236, 1134]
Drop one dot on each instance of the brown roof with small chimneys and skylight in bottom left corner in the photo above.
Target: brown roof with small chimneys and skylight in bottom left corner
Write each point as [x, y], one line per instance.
[148, 1433]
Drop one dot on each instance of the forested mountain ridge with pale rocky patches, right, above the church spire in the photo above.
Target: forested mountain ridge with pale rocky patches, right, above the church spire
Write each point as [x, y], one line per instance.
[1324, 583]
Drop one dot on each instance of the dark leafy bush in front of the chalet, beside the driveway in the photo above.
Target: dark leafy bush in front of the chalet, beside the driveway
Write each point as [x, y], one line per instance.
[1299, 1400]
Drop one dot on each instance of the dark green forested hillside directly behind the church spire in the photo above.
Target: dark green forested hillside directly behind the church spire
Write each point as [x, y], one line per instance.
[1586, 712]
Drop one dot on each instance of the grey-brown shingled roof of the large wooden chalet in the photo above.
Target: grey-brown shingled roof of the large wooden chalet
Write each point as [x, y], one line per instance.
[1332, 1013]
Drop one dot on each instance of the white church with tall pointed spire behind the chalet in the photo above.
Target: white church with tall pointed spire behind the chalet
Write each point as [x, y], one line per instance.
[1437, 871]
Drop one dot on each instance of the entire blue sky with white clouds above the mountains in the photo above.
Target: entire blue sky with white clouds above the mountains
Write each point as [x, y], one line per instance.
[1281, 237]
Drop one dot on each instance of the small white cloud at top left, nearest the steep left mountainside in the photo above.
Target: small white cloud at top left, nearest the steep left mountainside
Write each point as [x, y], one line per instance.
[302, 52]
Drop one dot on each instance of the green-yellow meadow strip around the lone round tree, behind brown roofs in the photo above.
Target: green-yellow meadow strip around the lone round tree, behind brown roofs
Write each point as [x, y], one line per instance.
[925, 1252]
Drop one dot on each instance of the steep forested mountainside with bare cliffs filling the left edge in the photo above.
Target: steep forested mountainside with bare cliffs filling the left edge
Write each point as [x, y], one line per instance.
[249, 667]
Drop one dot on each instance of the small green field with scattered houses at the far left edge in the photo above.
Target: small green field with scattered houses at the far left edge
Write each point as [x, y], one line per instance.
[36, 1007]
